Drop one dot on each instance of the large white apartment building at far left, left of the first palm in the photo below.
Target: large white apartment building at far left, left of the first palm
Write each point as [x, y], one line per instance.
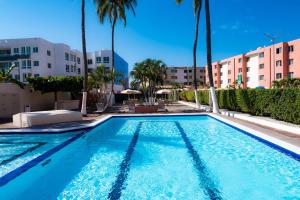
[39, 57]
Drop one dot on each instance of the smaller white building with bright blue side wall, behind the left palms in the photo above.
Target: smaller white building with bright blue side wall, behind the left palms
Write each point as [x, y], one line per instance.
[104, 57]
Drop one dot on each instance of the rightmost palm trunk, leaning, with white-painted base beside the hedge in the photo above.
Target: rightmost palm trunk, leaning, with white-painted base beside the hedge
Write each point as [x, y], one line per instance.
[209, 59]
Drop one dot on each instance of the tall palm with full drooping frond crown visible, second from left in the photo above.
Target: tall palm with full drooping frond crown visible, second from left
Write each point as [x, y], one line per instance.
[114, 10]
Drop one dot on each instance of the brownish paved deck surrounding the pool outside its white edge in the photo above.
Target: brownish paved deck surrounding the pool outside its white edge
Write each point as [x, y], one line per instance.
[291, 138]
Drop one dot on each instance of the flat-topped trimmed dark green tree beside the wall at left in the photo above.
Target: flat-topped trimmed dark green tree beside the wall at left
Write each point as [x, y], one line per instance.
[57, 84]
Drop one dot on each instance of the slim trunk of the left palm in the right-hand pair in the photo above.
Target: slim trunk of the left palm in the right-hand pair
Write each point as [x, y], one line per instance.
[195, 57]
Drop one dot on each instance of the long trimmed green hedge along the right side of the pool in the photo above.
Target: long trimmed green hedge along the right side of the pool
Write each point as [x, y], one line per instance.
[281, 104]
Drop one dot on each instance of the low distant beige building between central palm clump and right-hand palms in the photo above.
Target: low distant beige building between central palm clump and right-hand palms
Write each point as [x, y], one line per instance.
[185, 75]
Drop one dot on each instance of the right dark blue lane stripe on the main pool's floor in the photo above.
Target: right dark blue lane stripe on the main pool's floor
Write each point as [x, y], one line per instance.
[206, 182]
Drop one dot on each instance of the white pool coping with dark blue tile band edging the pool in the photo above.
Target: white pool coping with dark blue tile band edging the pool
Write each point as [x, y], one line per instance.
[275, 143]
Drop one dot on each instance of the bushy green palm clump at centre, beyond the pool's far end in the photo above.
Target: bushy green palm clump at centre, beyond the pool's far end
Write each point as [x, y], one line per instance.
[149, 74]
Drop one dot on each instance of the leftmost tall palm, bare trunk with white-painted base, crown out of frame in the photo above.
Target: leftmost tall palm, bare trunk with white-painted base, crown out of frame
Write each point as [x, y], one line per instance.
[85, 69]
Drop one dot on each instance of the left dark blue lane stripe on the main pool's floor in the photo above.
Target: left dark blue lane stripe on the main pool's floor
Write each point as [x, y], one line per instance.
[118, 186]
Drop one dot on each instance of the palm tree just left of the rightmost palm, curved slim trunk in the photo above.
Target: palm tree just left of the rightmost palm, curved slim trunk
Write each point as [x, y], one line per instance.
[197, 12]
